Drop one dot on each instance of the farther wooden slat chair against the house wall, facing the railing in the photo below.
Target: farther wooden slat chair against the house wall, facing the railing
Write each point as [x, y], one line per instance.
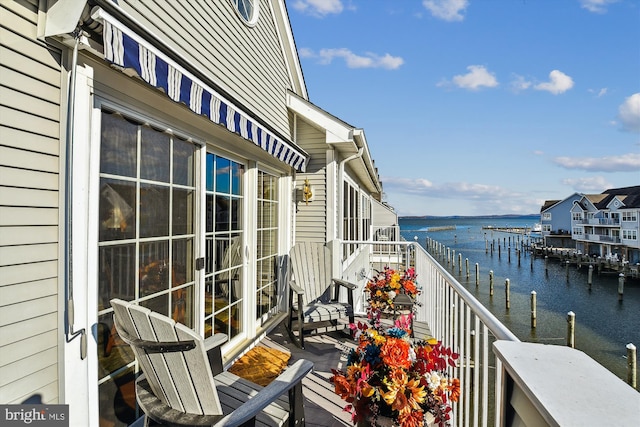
[317, 292]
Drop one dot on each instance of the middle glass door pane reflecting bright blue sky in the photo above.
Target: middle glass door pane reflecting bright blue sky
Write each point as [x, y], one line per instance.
[224, 265]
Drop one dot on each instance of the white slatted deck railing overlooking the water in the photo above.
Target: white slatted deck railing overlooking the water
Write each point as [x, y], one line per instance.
[454, 316]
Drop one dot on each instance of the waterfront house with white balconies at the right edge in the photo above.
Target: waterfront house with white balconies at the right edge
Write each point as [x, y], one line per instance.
[607, 224]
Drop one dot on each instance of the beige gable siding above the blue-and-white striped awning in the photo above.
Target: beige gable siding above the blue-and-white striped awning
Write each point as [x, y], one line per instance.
[212, 37]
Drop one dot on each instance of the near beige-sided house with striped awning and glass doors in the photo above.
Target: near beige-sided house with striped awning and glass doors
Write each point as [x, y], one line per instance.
[156, 151]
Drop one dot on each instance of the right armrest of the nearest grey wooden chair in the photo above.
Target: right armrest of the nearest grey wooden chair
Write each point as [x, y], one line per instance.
[285, 381]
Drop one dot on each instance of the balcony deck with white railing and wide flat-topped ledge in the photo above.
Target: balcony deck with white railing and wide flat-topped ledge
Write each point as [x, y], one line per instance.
[504, 382]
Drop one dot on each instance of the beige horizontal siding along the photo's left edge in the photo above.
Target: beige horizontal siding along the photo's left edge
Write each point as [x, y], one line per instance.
[29, 201]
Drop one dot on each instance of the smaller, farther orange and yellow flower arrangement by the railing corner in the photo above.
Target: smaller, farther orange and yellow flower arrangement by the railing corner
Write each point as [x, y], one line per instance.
[386, 285]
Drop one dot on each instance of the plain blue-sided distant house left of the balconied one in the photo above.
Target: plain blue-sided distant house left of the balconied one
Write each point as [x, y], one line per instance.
[555, 218]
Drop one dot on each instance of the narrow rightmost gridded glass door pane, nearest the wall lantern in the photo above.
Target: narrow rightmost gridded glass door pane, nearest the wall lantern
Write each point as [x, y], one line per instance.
[267, 250]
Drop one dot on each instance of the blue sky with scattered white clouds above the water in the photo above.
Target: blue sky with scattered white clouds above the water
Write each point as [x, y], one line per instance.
[475, 107]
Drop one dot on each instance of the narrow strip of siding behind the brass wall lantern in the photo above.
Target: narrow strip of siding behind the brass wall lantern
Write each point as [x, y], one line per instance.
[311, 219]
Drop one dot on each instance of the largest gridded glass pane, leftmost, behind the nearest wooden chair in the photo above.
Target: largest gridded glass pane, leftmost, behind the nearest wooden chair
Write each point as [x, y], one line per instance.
[147, 205]
